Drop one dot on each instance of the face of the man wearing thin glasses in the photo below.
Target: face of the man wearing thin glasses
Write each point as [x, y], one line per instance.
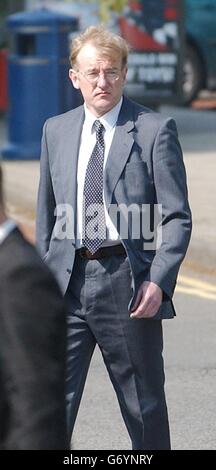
[99, 78]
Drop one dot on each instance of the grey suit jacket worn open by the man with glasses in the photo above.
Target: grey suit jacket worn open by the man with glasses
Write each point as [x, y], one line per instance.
[144, 166]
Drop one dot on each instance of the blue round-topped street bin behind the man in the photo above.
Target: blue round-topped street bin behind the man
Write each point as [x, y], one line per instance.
[39, 86]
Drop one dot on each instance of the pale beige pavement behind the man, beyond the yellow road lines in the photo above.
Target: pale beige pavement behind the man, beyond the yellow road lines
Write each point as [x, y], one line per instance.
[198, 139]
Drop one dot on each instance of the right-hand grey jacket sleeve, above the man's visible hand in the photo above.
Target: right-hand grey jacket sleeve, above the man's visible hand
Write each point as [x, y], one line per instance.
[171, 192]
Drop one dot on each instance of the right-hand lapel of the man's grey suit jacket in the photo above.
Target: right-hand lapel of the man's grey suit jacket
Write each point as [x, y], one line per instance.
[120, 149]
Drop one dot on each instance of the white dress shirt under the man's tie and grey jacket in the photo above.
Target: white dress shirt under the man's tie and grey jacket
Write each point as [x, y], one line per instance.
[87, 143]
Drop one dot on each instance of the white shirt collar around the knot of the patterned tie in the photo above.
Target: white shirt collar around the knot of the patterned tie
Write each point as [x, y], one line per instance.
[108, 120]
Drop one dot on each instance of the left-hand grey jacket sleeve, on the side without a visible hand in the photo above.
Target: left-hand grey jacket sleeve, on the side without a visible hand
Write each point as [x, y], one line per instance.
[45, 218]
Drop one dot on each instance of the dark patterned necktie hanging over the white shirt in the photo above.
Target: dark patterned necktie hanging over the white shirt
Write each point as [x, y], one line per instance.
[94, 225]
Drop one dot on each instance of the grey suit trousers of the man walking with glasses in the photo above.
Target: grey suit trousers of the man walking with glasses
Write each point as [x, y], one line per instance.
[98, 296]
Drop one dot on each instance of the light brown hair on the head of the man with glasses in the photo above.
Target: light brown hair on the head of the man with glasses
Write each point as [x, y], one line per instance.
[106, 41]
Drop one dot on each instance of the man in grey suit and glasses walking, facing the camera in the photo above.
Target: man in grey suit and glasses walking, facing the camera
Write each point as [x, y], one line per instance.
[103, 164]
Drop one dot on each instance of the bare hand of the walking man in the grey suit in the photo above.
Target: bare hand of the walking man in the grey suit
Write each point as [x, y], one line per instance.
[148, 301]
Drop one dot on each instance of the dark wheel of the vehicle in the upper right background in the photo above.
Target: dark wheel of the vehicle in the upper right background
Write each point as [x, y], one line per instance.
[192, 75]
